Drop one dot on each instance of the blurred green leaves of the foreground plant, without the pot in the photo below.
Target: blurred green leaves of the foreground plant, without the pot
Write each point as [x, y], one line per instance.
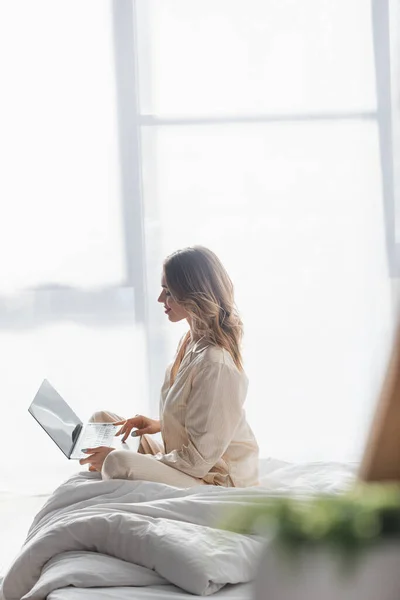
[346, 523]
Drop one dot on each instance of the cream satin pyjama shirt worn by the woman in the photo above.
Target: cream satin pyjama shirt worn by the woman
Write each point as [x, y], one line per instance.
[203, 423]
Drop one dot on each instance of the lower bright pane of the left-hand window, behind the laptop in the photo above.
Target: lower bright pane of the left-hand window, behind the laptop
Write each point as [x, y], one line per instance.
[95, 365]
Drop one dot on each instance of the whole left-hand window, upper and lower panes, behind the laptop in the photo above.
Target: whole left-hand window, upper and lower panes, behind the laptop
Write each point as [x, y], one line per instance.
[69, 301]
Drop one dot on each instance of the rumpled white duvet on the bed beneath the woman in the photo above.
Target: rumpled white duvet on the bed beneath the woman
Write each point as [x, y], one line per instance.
[99, 534]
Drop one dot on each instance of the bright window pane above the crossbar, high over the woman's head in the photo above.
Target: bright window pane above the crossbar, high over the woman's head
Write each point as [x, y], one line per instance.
[259, 56]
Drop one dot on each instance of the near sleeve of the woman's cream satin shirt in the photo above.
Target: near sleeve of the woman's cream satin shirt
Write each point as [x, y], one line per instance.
[214, 410]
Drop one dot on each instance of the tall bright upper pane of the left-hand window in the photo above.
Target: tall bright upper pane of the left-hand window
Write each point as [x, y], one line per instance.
[60, 215]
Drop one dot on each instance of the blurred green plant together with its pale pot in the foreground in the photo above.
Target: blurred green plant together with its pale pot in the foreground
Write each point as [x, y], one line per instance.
[328, 547]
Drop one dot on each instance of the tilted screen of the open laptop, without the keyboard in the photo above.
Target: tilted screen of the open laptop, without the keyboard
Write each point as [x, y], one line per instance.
[56, 417]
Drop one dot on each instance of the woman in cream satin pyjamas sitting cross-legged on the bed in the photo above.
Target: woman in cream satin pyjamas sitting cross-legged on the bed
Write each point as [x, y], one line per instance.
[203, 425]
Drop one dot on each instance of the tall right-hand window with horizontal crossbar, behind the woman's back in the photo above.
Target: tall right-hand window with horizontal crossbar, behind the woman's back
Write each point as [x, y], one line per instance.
[261, 137]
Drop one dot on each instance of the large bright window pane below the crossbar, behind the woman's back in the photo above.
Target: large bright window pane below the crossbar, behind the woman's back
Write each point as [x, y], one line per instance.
[295, 211]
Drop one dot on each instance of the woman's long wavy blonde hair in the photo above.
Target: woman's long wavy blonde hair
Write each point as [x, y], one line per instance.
[198, 281]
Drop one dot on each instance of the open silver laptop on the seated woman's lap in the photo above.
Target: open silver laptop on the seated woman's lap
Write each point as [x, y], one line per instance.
[64, 427]
